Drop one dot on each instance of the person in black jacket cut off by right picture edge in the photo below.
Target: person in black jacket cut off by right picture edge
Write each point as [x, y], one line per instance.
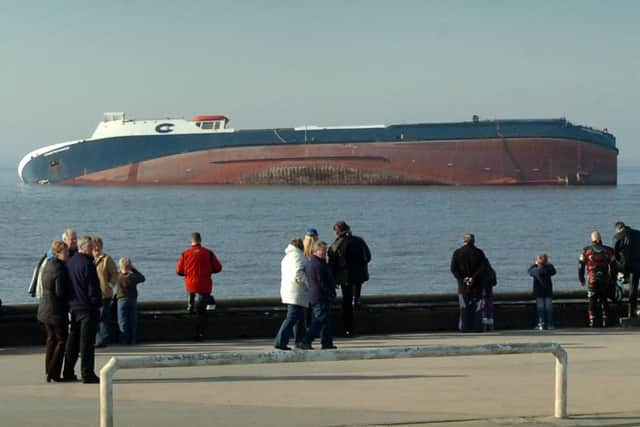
[626, 244]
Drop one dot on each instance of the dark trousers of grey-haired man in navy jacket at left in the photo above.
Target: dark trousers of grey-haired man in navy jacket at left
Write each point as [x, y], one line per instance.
[82, 336]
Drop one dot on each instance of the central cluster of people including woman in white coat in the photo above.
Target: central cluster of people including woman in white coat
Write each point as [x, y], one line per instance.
[311, 272]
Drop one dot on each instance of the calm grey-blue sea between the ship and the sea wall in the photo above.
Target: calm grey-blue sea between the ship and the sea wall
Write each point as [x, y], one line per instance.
[411, 230]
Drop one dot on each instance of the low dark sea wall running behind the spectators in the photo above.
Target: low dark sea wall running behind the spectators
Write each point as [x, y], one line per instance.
[260, 318]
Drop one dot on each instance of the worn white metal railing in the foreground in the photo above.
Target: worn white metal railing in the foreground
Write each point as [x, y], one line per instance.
[232, 358]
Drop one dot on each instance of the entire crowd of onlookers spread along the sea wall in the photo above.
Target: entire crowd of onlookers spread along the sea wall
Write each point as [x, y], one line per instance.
[79, 286]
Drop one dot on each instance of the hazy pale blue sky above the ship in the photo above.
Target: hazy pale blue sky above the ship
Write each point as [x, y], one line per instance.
[288, 63]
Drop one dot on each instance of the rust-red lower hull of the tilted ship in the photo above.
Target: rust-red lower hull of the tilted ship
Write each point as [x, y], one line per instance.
[499, 161]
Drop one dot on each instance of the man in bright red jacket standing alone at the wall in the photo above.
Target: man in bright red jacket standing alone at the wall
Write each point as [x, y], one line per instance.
[197, 264]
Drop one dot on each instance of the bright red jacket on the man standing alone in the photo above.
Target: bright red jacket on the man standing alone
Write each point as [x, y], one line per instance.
[197, 264]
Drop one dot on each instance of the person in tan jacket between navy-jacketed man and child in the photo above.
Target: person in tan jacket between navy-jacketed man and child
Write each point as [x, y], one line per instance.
[108, 276]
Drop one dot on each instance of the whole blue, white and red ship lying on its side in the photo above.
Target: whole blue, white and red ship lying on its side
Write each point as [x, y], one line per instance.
[205, 151]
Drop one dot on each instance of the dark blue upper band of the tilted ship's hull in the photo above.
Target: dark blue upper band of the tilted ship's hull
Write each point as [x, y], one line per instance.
[96, 155]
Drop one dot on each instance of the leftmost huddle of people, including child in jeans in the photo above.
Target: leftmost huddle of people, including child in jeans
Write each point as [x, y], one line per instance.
[75, 282]
